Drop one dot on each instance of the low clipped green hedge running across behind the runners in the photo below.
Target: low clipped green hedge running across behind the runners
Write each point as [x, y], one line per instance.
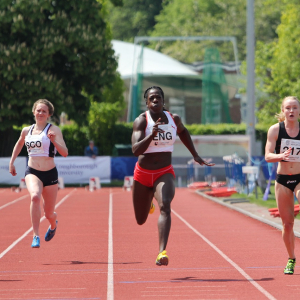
[77, 137]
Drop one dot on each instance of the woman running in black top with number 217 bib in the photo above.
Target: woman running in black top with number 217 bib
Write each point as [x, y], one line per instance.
[283, 139]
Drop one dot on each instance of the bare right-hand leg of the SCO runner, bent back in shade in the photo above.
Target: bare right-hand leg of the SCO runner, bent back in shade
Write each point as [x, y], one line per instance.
[49, 196]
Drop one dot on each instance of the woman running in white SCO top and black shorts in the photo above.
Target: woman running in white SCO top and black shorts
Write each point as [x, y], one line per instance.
[42, 140]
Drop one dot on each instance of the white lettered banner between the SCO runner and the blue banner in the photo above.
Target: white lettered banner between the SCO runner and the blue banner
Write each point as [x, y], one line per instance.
[79, 169]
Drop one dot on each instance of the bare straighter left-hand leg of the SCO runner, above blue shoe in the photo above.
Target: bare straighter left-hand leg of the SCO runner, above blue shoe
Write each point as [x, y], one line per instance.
[35, 188]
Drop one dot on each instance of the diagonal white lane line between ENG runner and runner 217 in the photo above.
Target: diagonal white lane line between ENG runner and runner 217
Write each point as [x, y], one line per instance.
[239, 269]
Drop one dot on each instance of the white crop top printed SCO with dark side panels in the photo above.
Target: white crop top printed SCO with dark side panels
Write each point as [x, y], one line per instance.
[39, 144]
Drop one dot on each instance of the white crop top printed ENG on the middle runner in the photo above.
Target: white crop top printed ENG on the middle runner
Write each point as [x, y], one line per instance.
[162, 142]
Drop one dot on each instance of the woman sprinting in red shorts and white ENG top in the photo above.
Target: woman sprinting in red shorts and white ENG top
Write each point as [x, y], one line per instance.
[154, 133]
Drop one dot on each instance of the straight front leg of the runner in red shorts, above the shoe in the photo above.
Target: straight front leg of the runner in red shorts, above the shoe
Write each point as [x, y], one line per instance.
[164, 193]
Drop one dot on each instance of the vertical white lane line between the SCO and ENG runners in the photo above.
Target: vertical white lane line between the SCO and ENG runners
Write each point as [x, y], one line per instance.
[110, 266]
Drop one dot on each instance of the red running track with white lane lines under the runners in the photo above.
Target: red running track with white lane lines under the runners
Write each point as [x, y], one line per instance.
[99, 252]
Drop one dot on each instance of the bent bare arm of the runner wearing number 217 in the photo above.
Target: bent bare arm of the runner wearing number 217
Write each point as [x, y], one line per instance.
[270, 156]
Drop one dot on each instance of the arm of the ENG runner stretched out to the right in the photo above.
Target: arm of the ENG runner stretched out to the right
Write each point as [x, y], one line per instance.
[186, 139]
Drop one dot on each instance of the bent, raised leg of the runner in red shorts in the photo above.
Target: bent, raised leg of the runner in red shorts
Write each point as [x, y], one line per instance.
[142, 197]
